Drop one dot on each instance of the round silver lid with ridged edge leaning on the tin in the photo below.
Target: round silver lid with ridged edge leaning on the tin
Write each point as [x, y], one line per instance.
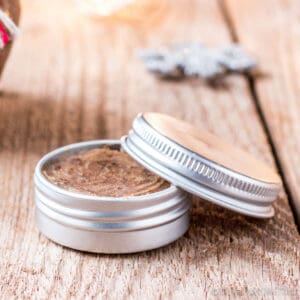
[203, 164]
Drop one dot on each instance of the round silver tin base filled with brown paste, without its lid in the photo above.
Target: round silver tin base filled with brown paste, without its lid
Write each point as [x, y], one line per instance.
[94, 197]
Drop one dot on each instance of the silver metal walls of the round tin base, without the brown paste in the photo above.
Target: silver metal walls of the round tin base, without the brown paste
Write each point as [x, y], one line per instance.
[107, 224]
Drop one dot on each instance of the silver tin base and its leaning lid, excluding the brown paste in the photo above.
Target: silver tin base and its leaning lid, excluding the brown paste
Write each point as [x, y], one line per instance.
[191, 159]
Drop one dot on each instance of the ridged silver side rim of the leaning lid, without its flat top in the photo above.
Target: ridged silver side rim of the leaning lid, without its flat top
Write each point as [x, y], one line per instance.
[198, 175]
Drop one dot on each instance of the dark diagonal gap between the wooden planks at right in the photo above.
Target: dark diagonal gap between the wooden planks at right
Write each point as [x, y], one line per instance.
[254, 96]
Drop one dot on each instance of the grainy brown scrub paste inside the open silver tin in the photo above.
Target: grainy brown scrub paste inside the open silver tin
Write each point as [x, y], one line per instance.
[103, 172]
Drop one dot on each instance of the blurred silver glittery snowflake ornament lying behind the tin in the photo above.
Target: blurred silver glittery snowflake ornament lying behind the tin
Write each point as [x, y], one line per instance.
[195, 59]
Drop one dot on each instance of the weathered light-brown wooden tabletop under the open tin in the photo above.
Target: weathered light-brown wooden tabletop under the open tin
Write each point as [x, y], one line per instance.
[71, 78]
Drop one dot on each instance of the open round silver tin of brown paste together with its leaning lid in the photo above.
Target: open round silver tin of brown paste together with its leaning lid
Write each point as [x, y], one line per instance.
[91, 196]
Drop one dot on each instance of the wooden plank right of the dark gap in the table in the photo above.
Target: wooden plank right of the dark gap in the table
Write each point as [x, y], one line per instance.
[274, 37]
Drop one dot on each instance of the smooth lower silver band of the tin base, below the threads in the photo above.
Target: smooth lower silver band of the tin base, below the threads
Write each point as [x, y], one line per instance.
[112, 242]
